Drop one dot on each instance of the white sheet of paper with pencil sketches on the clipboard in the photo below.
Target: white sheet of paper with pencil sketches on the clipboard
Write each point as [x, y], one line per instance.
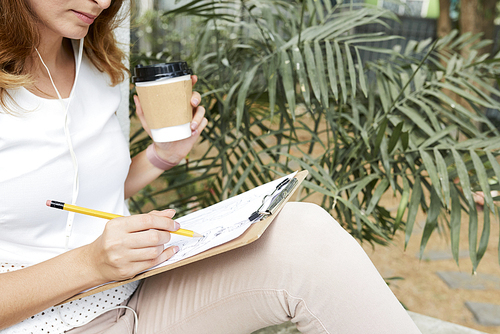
[220, 222]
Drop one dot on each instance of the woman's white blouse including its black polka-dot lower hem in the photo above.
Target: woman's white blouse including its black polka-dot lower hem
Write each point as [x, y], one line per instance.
[36, 166]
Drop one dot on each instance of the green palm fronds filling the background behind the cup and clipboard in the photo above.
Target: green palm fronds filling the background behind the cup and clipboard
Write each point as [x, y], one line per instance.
[285, 88]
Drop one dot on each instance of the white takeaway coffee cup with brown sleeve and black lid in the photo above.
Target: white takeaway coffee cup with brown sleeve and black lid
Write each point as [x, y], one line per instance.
[165, 93]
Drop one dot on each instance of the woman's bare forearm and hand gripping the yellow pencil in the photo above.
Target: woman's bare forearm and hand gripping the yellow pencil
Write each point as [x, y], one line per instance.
[128, 246]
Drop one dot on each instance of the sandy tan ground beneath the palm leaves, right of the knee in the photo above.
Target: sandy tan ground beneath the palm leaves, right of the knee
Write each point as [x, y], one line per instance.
[421, 290]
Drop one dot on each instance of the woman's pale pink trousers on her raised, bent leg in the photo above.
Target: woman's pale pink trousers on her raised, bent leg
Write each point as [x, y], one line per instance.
[305, 268]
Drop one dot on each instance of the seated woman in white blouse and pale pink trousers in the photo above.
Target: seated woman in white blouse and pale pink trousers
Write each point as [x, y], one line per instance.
[60, 139]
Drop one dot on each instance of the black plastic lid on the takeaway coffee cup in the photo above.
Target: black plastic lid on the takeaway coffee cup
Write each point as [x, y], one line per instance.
[145, 73]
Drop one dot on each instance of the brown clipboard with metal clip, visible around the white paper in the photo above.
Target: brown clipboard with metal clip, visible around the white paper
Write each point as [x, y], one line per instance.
[263, 217]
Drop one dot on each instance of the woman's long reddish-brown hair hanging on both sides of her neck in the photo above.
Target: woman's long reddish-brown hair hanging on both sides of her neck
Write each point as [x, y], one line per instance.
[19, 36]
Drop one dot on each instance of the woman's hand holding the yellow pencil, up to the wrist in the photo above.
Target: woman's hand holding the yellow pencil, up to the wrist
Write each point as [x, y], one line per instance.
[130, 245]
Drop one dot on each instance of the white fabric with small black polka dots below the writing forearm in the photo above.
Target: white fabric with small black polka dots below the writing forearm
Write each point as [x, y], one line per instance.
[58, 319]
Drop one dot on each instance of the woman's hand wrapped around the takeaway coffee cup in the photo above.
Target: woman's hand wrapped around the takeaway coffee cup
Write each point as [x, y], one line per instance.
[174, 152]
